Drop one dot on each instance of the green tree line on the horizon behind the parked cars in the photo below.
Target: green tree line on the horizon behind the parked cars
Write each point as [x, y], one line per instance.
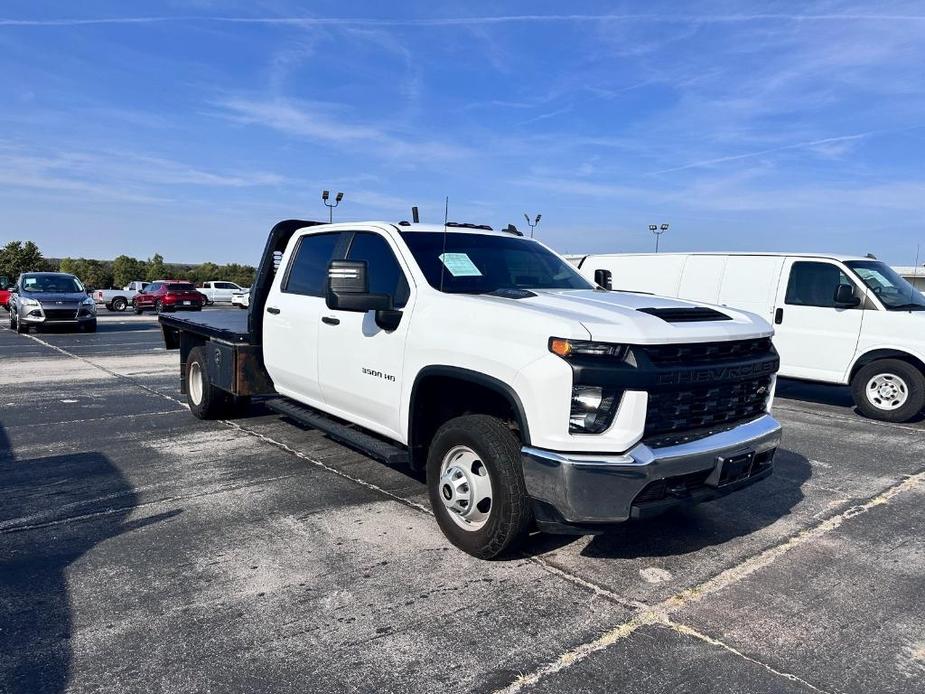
[19, 256]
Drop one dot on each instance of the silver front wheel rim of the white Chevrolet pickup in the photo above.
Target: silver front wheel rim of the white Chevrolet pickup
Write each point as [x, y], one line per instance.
[465, 488]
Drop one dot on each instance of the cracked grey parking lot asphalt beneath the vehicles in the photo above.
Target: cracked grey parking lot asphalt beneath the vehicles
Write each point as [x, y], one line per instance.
[144, 550]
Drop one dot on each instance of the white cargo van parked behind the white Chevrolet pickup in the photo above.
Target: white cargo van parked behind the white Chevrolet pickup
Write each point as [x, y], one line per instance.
[837, 319]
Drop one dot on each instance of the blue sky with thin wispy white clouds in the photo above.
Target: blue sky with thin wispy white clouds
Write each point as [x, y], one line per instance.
[189, 128]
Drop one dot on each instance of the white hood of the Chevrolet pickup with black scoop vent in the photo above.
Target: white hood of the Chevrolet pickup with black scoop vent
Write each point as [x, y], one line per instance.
[615, 317]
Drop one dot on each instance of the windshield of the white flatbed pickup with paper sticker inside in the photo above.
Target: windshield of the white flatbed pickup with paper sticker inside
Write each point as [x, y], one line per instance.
[480, 264]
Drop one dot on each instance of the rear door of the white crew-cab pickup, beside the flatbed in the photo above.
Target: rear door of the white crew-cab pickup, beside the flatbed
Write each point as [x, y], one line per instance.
[292, 315]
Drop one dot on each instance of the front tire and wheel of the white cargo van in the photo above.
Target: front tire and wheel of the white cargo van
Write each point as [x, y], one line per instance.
[890, 390]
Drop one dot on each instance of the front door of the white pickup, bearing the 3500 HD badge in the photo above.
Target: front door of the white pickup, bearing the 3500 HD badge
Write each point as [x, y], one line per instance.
[359, 363]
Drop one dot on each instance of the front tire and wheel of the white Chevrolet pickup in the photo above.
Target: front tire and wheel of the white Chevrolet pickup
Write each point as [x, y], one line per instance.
[465, 452]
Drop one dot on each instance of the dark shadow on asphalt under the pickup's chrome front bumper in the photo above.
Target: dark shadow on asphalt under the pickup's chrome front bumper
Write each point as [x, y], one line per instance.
[691, 529]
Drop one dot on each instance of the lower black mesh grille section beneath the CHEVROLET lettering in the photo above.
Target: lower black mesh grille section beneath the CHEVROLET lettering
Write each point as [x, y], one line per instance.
[705, 408]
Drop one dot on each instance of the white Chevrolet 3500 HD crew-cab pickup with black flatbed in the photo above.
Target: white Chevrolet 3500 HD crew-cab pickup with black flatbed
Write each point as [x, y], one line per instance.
[530, 397]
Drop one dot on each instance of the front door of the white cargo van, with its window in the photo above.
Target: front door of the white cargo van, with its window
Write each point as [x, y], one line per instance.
[816, 337]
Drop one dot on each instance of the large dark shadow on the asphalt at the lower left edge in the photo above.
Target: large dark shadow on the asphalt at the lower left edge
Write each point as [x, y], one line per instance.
[53, 510]
